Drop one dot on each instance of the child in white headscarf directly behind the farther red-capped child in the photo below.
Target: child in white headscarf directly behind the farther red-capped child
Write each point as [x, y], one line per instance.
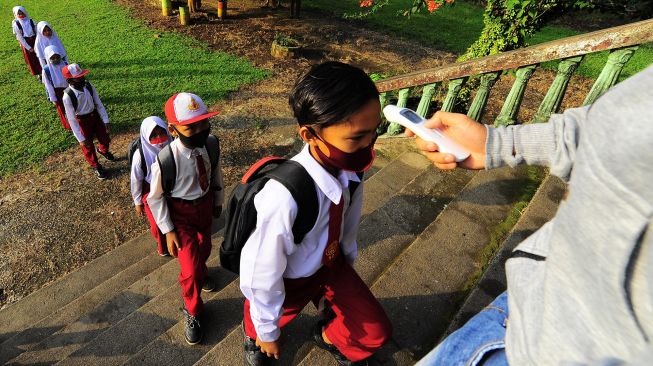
[54, 81]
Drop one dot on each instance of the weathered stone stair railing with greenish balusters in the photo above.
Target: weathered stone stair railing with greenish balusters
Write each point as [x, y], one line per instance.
[622, 42]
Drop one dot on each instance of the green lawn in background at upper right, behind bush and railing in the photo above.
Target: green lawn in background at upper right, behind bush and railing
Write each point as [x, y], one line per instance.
[455, 28]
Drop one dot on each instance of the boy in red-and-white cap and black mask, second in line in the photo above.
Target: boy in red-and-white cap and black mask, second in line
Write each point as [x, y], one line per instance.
[185, 191]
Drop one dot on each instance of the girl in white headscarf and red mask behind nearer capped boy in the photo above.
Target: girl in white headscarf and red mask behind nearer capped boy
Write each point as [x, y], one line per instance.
[153, 137]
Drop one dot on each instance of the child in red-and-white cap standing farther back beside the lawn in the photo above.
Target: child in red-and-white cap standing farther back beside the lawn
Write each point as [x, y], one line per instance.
[87, 117]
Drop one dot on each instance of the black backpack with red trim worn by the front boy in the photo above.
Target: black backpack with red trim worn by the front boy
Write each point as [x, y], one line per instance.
[241, 212]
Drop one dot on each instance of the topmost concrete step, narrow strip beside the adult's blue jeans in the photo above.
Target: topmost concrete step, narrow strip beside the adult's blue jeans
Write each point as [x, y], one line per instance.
[542, 208]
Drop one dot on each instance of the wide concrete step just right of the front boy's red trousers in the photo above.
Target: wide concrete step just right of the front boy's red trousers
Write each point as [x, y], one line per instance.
[423, 287]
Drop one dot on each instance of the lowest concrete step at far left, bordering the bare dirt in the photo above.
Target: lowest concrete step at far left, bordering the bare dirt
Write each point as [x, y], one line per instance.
[41, 303]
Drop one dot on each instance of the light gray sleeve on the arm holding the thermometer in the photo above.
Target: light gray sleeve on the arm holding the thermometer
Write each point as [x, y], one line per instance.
[552, 144]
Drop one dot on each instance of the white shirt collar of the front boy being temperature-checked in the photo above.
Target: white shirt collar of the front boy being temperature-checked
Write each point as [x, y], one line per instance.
[327, 183]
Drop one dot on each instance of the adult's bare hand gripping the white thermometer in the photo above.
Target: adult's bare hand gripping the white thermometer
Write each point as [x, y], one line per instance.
[465, 131]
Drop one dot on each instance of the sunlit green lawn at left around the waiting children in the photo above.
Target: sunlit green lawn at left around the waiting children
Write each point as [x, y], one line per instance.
[134, 69]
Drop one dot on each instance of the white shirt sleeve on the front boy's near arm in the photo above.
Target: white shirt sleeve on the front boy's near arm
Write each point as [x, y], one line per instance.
[264, 257]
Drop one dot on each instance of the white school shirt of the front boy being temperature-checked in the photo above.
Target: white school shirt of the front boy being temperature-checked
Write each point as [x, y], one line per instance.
[270, 254]
